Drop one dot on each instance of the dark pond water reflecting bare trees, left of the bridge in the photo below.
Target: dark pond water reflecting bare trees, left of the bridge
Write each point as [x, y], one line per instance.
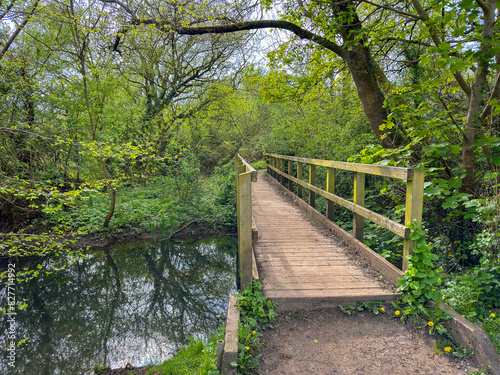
[135, 303]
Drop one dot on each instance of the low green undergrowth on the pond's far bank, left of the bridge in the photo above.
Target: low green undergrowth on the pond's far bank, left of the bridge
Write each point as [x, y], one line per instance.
[208, 200]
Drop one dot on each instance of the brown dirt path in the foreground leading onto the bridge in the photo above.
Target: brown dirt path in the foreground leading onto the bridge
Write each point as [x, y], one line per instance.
[331, 342]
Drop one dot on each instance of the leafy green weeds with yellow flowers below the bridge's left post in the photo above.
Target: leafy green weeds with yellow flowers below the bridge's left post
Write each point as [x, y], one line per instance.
[257, 313]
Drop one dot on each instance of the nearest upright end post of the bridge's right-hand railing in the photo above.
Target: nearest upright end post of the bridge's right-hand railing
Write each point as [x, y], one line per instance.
[414, 207]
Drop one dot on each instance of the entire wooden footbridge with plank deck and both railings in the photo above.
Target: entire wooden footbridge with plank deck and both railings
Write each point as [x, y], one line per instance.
[303, 259]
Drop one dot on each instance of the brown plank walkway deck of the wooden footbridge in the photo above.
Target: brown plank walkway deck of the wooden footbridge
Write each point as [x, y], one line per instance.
[300, 266]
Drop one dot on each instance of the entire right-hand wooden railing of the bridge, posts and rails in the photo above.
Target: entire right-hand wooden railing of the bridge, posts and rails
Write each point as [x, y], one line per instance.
[414, 192]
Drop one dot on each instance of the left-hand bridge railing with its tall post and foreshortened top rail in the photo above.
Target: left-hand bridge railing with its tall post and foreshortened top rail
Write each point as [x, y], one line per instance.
[245, 175]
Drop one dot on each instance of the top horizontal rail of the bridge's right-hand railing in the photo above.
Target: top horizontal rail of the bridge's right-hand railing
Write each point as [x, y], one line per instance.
[378, 170]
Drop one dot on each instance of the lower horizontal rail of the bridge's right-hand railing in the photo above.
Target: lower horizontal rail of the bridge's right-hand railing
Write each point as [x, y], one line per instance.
[384, 222]
